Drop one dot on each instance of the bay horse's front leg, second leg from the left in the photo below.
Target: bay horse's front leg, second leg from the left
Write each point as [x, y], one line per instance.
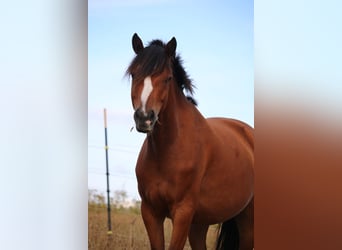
[181, 221]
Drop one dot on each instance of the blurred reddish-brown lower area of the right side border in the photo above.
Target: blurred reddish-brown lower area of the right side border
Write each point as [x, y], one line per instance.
[298, 201]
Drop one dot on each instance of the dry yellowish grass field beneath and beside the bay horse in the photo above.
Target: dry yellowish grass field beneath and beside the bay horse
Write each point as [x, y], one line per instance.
[128, 231]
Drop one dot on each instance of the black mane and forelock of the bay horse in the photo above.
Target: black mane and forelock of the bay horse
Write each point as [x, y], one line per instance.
[153, 59]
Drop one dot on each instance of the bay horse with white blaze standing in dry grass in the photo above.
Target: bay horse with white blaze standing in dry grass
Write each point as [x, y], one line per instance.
[193, 170]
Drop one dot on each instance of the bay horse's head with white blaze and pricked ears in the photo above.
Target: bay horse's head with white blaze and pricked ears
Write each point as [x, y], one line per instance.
[152, 72]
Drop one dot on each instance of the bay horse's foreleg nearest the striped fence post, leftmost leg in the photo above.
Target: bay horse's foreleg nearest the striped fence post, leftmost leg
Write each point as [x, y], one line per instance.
[154, 224]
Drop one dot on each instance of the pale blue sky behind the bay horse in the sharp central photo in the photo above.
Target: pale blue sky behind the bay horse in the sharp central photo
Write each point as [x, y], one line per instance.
[215, 40]
